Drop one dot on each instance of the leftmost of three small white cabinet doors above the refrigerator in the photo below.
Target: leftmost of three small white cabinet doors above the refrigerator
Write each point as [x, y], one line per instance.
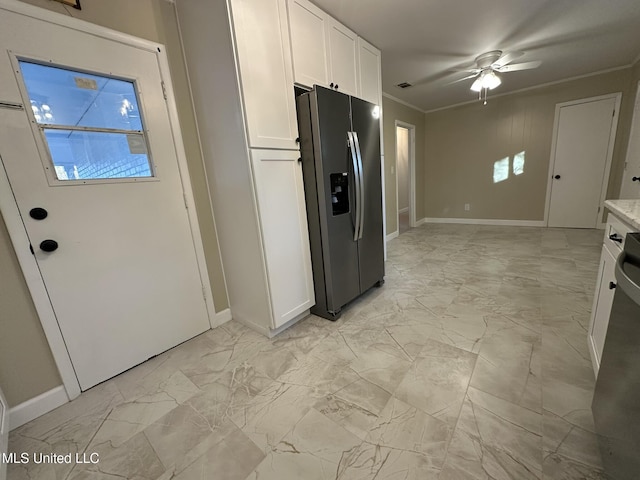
[308, 28]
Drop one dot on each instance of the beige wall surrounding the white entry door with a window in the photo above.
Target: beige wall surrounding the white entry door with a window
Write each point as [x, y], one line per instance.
[26, 364]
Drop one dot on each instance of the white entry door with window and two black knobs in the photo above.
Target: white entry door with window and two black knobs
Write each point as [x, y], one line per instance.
[92, 163]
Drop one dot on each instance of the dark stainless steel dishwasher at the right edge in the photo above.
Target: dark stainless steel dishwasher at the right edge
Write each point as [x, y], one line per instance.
[616, 401]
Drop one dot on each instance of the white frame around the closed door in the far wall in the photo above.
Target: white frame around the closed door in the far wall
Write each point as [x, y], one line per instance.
[607, 168]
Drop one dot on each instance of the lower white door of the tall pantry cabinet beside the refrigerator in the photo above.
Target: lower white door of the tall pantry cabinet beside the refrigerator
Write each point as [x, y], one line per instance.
[283, 220]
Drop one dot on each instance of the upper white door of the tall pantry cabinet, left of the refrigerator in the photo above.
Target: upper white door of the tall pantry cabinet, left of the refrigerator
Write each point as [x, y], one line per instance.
[264, 59]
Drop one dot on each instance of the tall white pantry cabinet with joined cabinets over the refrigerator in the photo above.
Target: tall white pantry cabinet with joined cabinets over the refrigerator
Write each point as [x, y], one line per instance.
[243, 58]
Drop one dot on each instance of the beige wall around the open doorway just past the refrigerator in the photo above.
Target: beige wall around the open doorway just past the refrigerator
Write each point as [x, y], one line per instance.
[394, 111]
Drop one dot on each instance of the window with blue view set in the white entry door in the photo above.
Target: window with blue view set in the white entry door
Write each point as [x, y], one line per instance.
[91, 123]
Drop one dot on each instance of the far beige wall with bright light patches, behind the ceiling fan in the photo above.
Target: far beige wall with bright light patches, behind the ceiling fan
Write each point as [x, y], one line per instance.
[462, 144]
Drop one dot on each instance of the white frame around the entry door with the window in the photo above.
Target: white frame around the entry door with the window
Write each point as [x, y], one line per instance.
[15, 226]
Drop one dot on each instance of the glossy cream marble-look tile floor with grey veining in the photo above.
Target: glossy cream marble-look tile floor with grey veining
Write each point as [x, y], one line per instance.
[471, 362]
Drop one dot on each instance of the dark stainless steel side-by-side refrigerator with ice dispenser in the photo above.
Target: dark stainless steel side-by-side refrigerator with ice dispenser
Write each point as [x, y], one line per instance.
[341, 164]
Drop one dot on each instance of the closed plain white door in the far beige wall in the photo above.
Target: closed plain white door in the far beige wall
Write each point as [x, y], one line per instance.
[583, 148]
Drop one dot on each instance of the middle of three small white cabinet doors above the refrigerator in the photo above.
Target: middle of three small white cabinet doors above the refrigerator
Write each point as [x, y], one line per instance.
[343, 58]
